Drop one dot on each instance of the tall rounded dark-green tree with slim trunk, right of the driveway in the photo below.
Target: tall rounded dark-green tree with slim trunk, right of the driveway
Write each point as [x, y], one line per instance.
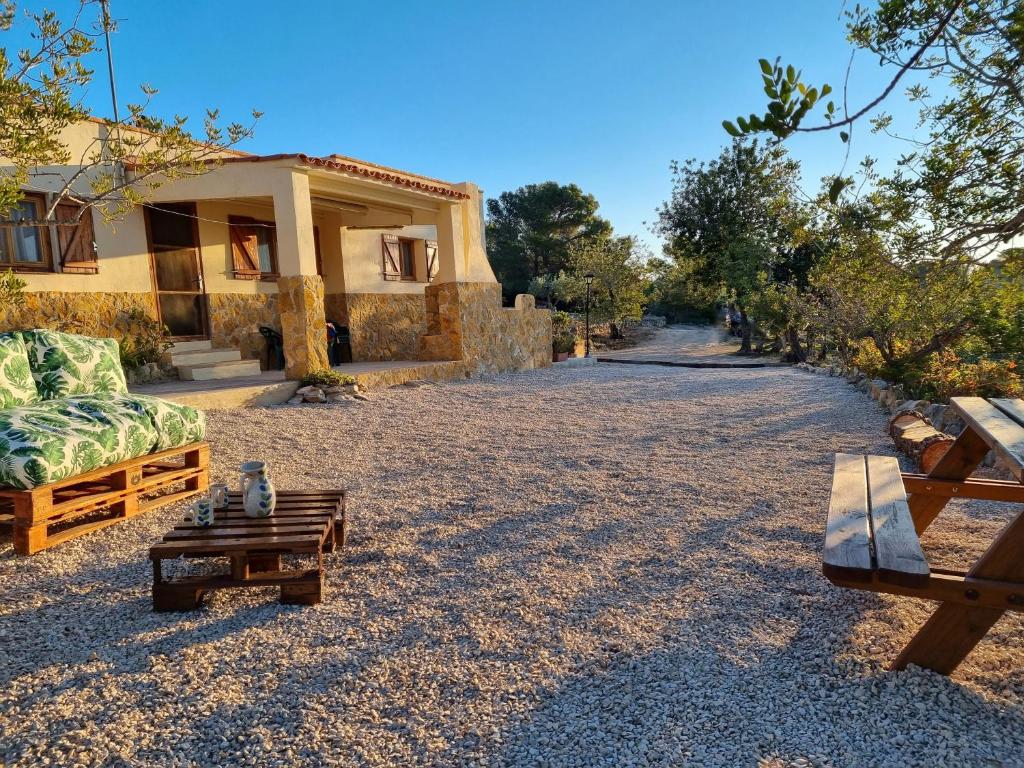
[732, 224]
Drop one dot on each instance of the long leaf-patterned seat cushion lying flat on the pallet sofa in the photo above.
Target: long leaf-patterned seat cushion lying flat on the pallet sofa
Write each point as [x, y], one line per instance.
[54, 440]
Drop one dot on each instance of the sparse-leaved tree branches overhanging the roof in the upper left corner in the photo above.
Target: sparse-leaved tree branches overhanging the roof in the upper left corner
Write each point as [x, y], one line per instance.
[41, 92]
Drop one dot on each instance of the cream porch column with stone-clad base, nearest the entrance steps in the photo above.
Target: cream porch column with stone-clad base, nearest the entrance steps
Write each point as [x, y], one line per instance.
[301, 290]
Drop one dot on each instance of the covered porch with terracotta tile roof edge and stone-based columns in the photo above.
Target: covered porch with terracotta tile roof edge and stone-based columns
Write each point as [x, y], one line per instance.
[290, 243]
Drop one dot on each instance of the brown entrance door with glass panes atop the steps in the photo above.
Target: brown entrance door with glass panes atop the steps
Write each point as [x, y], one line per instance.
[178, 272]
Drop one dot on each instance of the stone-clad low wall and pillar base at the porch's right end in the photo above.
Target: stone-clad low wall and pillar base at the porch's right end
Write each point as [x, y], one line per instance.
[470, 324]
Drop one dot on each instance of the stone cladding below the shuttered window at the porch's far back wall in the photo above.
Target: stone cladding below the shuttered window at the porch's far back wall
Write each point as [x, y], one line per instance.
[387, 326]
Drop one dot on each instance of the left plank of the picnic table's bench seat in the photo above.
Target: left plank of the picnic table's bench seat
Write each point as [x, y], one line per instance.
[847, 553]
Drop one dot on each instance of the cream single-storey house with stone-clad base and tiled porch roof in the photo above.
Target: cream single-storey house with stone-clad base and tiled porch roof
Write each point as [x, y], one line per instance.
[286, 242]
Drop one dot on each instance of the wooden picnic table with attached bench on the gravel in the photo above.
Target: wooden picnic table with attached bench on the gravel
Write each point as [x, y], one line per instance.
[877, 516]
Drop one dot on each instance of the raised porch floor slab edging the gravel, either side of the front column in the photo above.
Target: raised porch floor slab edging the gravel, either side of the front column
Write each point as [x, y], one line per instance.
[272, 388]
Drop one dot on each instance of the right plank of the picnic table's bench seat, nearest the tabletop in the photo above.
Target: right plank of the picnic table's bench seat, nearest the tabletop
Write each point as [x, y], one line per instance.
[899, 557]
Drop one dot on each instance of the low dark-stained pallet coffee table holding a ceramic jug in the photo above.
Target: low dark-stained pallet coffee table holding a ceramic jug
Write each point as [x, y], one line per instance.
[306, 523]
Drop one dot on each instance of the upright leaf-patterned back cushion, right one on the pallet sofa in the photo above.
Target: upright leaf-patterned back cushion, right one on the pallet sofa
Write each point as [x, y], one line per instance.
[66, 365]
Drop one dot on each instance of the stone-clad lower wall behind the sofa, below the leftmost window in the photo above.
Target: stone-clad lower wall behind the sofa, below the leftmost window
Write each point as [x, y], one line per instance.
[91, 314]
